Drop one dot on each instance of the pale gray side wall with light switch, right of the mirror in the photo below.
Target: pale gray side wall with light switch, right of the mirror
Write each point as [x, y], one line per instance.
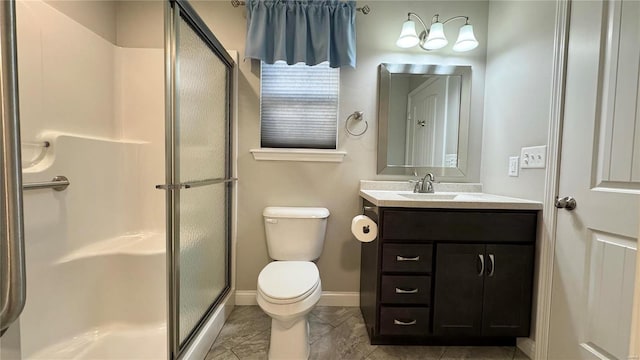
[518, 89]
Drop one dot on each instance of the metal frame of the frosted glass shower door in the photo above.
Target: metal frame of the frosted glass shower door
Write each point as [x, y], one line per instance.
[174, 11]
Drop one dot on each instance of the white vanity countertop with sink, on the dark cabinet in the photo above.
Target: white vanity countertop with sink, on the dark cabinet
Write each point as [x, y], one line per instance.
[443, 199]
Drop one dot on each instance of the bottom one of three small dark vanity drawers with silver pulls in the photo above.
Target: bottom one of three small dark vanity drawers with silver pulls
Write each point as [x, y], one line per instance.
[404, 321]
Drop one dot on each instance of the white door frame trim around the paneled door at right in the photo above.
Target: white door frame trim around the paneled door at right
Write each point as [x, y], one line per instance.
[538, 350]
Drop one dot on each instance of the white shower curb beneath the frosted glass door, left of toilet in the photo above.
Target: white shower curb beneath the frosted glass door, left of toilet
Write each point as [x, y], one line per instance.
[206, 337]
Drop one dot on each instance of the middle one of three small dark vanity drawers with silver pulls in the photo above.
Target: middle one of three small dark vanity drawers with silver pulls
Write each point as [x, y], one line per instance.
[405, 289]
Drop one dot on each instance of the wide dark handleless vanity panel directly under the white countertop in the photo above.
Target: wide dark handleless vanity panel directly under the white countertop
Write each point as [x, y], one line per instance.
[459, 225]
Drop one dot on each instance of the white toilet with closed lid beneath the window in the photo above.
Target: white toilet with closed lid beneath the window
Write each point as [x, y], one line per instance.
[289, 287]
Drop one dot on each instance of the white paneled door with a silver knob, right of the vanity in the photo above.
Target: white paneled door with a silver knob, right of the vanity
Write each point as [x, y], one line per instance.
[596, 242]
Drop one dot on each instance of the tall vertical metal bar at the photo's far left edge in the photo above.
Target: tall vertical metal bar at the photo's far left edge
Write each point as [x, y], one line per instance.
[12, 268]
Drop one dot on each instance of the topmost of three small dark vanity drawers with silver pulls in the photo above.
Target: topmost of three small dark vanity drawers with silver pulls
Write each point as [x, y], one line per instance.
[407, 257]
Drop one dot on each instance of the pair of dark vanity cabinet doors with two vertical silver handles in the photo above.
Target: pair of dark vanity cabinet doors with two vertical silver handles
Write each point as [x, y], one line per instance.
[483, 290]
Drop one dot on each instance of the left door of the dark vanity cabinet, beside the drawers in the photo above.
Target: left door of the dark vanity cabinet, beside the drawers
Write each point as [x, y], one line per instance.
[458, 291]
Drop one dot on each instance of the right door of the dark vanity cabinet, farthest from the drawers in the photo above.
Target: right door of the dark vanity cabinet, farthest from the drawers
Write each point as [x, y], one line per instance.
[508, 290]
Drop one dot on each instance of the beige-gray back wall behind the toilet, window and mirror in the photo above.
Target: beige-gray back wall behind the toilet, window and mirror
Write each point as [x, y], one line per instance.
[333, 185]
